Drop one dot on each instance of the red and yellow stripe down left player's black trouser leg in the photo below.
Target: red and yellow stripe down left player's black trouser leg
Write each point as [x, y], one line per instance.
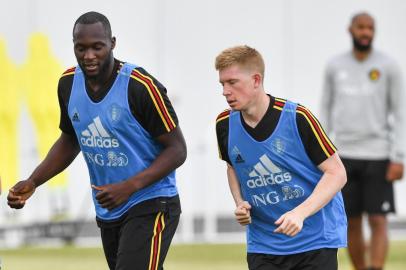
[156, 241]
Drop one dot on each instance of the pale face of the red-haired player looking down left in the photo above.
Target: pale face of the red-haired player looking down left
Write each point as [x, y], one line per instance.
[239, 87]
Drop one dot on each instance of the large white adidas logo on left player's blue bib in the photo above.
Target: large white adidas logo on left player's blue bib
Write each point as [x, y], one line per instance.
[96, 136]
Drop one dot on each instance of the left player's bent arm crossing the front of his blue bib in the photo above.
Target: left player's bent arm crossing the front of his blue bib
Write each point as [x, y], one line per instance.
[172, 156]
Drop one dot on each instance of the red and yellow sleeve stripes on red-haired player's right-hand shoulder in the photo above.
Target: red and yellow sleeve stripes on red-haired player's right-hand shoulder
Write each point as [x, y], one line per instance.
[325, 143]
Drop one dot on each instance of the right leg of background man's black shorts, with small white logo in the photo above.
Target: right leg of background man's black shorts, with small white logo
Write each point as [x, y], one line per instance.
[378, 192]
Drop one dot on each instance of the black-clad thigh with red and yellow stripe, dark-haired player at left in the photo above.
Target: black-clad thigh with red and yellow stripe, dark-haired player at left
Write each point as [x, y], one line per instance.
[145, 240]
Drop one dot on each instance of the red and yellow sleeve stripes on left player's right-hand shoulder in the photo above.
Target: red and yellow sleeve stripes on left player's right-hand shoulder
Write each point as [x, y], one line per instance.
[156, 98]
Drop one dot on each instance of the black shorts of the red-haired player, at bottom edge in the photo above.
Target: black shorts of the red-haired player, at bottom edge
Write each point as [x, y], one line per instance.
[319, 259]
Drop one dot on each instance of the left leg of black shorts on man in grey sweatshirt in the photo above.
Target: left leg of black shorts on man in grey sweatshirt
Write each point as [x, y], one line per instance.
[353, 190]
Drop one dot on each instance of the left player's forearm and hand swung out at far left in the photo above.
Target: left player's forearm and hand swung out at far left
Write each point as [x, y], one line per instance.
[60, 156]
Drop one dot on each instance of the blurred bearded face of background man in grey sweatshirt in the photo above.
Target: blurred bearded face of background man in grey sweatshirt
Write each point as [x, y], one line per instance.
[362, 31]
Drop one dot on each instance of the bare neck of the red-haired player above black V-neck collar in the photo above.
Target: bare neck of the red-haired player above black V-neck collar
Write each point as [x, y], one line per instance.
[256, 111]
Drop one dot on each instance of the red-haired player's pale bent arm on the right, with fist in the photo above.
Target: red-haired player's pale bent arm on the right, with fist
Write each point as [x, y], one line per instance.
[333, 179]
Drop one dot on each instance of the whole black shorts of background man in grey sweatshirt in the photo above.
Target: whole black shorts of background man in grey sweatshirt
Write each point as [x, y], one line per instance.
[367, 189]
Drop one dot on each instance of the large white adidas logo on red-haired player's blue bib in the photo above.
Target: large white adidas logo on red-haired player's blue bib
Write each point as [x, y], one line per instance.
[267, 173]
